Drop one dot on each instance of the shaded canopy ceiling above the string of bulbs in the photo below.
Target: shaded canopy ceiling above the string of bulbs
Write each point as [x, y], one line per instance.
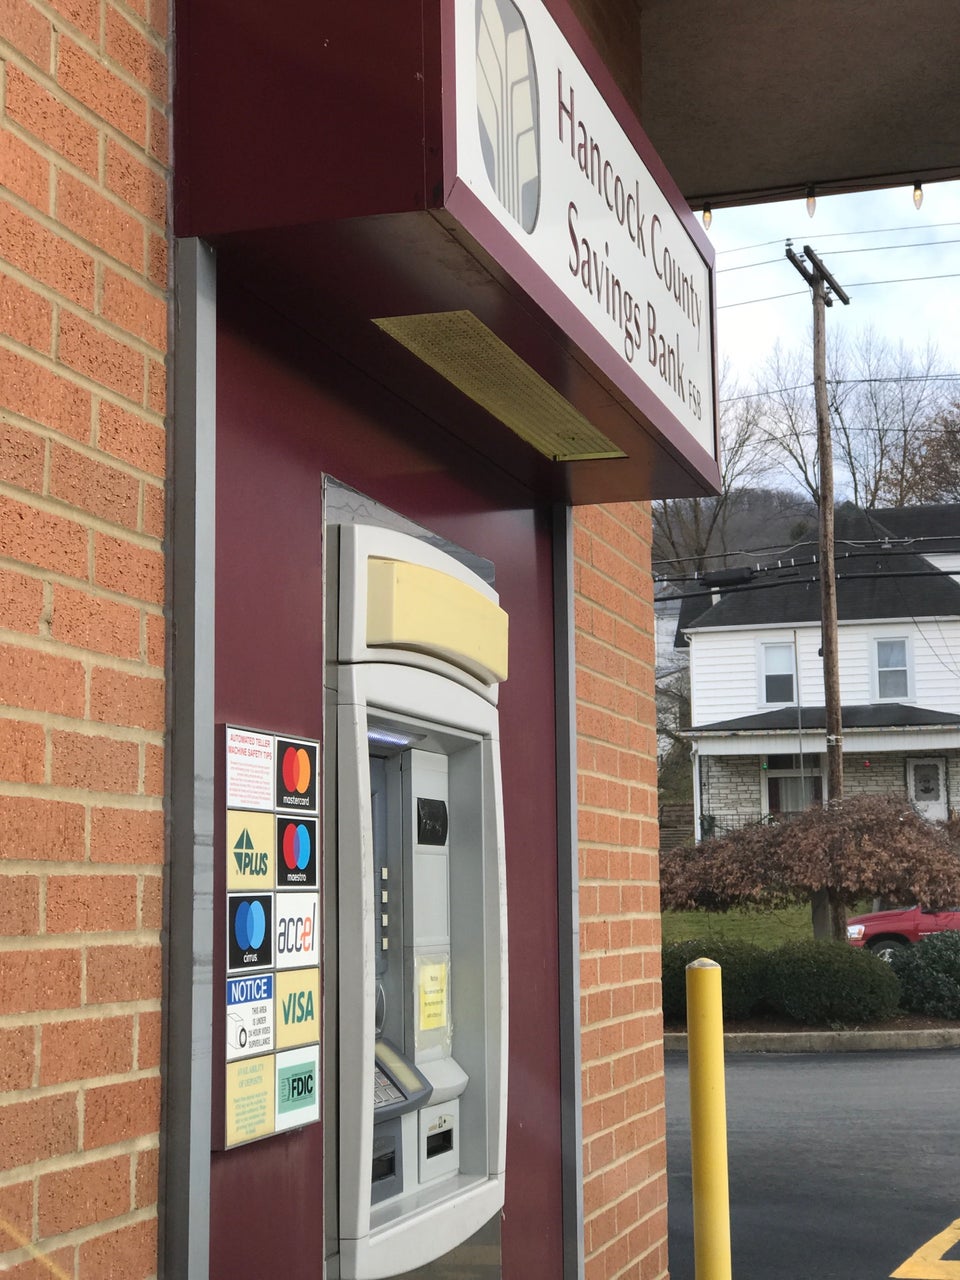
[755, 100]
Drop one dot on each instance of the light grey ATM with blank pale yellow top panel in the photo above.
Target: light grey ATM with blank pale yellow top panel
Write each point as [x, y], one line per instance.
[417, 897]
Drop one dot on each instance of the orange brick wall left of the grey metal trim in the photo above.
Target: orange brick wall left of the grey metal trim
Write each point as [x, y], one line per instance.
[83, 452]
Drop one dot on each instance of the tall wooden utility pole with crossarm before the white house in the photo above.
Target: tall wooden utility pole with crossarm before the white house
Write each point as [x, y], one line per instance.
[828, 920]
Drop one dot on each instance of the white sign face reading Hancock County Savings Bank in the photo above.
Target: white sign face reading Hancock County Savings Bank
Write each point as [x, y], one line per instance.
[541, 149]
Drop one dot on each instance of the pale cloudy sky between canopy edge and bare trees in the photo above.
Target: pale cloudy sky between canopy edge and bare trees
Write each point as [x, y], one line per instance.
[902, 269]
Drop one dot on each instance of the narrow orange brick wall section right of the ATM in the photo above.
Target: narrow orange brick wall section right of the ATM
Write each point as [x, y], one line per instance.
[625, 1185]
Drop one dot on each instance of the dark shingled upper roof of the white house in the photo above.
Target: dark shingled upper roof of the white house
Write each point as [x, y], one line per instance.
[876, 578]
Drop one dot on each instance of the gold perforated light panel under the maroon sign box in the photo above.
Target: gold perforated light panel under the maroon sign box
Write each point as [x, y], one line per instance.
[473, 358]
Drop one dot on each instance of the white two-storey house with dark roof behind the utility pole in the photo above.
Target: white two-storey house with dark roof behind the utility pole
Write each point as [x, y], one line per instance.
[757, 675]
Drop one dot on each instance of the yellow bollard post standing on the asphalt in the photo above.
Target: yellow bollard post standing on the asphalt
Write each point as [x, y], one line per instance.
[708, 1121]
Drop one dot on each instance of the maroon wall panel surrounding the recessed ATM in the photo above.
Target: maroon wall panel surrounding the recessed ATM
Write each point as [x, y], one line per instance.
[289, 412]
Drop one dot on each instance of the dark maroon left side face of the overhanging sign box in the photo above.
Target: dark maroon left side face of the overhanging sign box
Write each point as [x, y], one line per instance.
[294, 113]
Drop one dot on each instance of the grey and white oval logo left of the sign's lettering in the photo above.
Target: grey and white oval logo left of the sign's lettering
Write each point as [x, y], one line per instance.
[508, 109]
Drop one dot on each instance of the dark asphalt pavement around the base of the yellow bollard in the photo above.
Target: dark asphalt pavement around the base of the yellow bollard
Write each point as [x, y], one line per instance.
[843, 1167]
